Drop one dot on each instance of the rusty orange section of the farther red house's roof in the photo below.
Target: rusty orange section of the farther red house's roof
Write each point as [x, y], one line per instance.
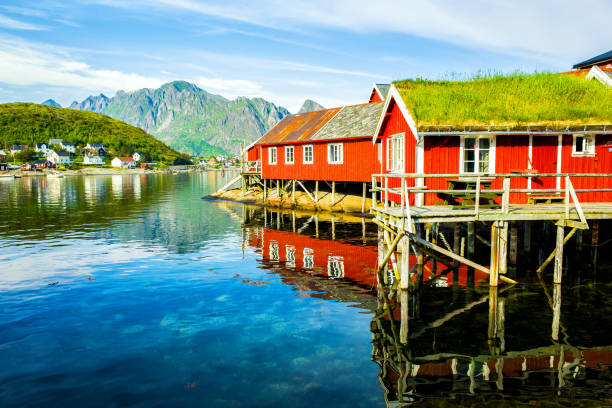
[298, 127]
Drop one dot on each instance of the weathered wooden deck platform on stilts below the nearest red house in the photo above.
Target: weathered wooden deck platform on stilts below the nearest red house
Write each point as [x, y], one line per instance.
[516, 212]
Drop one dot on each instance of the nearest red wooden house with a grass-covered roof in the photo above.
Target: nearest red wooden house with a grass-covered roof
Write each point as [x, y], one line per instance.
[513, 124]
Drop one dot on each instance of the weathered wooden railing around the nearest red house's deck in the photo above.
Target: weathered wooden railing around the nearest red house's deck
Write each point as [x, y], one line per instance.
[386, 185]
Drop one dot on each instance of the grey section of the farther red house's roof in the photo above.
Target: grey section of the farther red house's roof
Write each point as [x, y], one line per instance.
[351, 121]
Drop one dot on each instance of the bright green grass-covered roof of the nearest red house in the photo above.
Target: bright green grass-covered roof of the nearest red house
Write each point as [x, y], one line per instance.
[501, 101]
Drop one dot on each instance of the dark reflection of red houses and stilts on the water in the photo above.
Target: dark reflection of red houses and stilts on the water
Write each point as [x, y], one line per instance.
[450, 339]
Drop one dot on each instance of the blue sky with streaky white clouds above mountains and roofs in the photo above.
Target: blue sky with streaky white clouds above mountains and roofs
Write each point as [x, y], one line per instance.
[283, 51]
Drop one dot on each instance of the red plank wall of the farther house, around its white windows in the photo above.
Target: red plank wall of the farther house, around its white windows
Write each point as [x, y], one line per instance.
[360, 161]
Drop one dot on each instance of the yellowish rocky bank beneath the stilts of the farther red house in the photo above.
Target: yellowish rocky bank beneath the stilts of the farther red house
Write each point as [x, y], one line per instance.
[344, 203]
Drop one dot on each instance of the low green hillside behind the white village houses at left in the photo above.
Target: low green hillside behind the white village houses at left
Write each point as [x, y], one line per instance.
[29, 123]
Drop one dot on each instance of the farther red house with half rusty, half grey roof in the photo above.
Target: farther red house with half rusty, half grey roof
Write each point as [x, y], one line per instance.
[327, 145]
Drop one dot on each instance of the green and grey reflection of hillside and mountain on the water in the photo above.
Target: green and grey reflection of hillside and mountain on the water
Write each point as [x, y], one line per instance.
[165, 209]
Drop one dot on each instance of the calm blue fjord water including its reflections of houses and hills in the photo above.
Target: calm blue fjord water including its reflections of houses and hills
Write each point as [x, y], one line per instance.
[132, 291]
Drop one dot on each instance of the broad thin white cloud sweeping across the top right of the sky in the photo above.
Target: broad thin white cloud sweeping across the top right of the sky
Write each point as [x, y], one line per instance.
[537, 29]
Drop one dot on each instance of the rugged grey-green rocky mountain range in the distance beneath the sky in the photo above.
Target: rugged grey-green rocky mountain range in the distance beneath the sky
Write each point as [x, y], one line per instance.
[190, 119]
